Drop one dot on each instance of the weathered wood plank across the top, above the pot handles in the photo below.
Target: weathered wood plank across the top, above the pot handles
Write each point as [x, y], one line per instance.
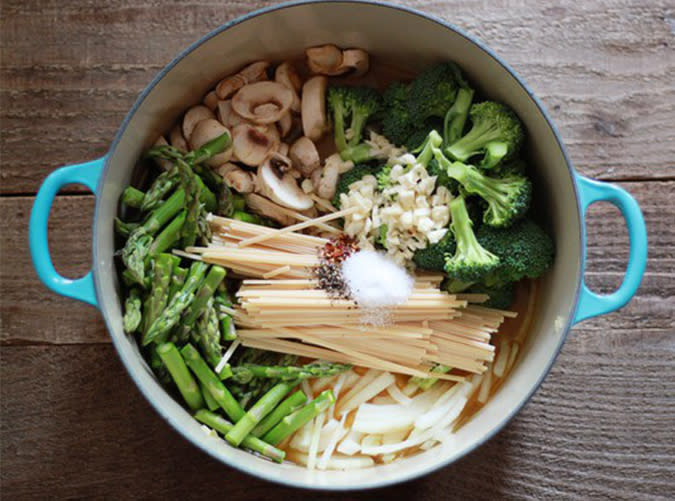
[66, 90]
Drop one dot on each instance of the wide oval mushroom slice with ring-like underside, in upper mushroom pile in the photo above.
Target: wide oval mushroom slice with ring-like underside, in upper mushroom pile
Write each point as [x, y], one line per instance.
[263, 102]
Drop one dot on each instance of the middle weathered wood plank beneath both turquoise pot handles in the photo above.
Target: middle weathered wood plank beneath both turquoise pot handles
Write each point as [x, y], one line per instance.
[27, 302]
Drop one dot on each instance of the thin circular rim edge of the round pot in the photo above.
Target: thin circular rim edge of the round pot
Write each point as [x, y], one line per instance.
[375, 483]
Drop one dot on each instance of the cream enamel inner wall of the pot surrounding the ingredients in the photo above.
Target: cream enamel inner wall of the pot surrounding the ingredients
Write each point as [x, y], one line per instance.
[380, 29]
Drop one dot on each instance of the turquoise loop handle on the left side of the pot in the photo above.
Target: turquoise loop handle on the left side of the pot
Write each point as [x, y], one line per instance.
[87, 174]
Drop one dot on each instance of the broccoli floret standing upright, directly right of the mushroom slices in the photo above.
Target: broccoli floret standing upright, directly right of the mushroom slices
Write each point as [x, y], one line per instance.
[358, 105]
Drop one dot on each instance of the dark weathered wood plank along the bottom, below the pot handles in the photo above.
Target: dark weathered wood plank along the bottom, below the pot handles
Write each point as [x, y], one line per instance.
[91, 434]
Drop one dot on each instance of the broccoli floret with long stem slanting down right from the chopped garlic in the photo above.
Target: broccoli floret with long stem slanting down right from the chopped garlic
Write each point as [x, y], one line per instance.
[508, 198]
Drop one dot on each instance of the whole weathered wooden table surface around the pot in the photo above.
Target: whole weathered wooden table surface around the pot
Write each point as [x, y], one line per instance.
[74, 425]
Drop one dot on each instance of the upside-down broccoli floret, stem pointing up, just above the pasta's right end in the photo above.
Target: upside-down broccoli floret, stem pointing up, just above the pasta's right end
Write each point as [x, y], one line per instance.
[471, 262]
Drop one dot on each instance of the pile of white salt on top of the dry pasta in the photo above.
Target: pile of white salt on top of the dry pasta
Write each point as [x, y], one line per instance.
[376, 282]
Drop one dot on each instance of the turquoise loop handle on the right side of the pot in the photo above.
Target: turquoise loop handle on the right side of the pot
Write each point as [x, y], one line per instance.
[591, 304]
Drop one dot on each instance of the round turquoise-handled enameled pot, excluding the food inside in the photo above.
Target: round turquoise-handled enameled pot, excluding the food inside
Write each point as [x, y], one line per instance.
[415, 39]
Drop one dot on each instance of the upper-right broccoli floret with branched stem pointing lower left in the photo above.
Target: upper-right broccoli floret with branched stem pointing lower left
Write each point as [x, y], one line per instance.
[497, 133]
